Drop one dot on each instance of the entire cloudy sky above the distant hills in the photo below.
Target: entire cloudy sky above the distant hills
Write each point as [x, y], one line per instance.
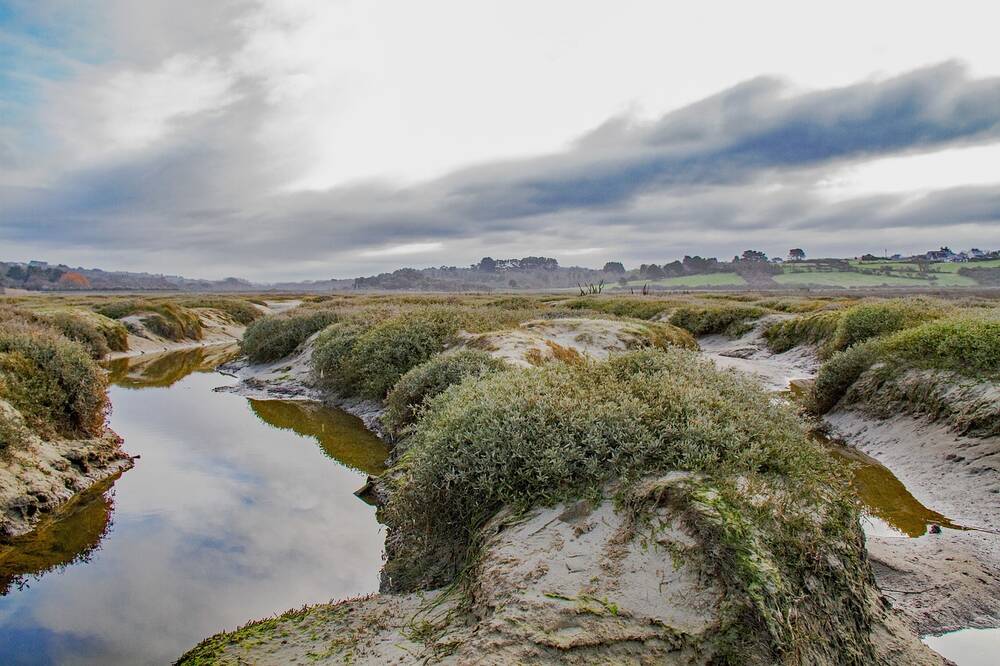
[309, 139]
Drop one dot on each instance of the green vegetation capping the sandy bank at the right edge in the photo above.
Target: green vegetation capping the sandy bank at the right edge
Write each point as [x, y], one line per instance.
[967, 346]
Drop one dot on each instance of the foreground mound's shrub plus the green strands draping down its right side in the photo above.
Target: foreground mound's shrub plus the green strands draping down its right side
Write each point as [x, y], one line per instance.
[777, 525]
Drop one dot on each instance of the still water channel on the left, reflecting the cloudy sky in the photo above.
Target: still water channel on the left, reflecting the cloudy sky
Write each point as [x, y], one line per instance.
[236, 510]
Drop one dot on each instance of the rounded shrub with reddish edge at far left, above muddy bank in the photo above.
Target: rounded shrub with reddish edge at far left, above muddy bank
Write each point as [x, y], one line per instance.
[51, 381]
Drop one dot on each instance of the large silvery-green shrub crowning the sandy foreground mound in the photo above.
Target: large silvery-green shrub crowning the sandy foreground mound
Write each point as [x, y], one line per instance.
[528, 437]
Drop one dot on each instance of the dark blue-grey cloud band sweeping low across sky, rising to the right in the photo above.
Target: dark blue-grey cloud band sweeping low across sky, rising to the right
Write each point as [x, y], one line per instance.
[745, 160]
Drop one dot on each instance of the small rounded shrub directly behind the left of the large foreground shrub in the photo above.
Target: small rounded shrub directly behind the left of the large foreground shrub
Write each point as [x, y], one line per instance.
[428, 380]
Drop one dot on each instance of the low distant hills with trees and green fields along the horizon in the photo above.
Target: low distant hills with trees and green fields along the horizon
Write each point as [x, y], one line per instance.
[751, 270]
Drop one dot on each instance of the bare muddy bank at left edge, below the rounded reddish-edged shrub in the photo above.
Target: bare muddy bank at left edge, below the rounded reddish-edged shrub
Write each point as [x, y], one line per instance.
[36, 479]
